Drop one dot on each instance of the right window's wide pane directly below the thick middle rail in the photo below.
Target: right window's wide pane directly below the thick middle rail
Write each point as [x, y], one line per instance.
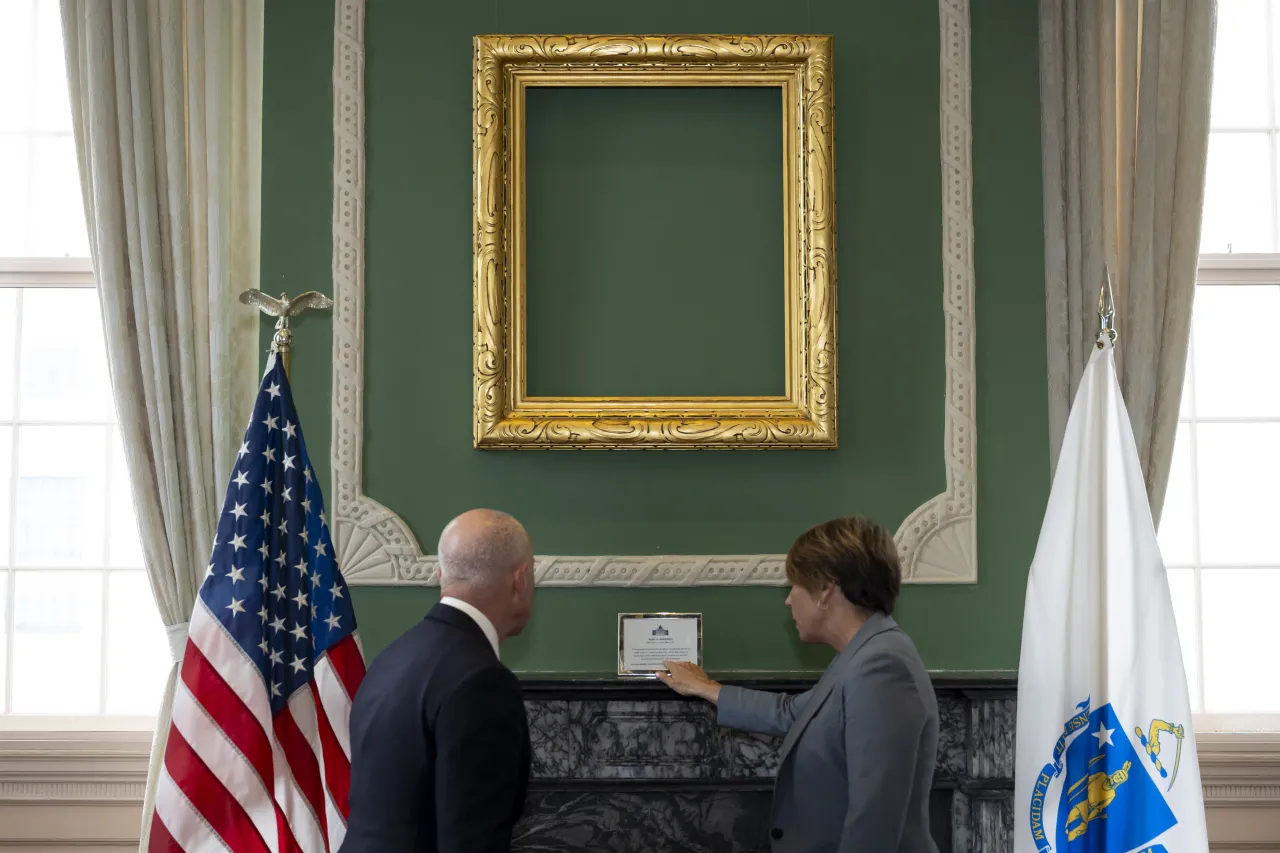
[1237, 352]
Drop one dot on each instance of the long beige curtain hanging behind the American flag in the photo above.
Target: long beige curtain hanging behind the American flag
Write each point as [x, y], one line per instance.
[167, 104]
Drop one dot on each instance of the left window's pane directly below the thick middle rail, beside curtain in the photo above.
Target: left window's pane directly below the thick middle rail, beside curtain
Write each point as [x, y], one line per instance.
[63, 357]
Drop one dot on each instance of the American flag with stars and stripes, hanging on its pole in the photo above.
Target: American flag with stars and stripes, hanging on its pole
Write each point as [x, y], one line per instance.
[259, 752]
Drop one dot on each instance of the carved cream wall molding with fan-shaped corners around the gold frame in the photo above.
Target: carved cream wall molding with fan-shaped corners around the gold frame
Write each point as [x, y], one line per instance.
[376, 548]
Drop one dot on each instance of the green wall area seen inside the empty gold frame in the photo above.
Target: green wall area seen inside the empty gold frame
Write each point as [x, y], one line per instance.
[655, 230]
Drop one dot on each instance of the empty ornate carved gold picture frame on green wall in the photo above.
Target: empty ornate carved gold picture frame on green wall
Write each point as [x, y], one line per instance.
[506, 417]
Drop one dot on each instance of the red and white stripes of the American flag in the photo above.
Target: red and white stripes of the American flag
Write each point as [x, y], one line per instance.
[235, 778]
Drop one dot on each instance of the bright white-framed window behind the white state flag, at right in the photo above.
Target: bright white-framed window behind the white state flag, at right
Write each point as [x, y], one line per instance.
[1220, 530]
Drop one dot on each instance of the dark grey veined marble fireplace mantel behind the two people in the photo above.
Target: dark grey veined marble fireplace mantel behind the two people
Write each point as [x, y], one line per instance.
[632, 767]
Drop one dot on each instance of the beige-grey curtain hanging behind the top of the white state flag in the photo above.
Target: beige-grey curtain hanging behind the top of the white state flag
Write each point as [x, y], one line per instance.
[1124, 97]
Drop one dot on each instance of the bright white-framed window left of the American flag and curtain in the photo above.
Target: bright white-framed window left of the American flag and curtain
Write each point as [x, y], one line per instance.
[81, 642]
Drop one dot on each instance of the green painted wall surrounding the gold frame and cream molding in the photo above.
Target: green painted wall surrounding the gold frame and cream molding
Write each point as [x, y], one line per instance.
[419, 457]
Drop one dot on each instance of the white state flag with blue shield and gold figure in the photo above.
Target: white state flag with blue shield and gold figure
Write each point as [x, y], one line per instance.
[1107, 755]
